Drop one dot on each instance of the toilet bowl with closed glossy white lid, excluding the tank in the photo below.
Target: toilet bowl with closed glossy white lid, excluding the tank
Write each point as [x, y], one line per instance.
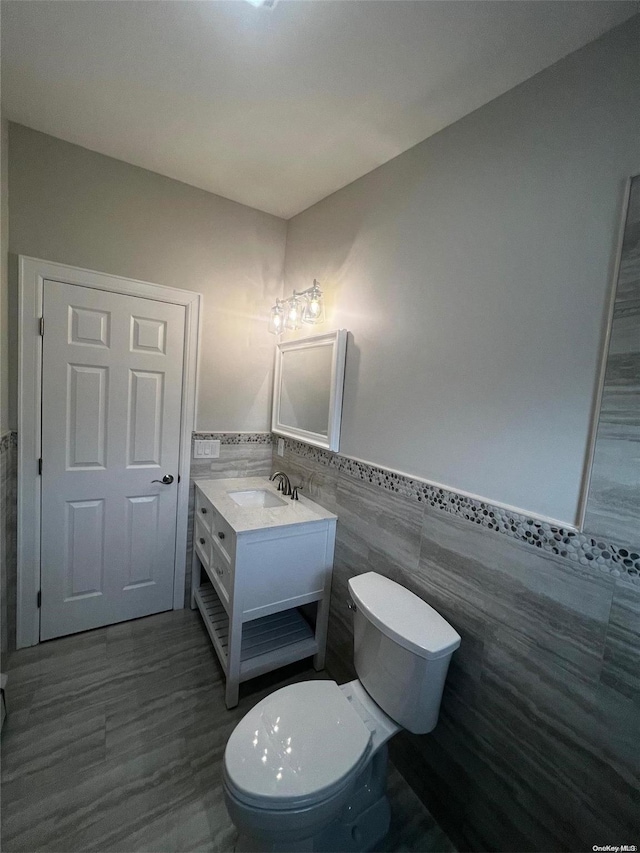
[284, 786]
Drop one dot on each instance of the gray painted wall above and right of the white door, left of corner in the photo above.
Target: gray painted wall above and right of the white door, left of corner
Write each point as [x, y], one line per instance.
[80, 208]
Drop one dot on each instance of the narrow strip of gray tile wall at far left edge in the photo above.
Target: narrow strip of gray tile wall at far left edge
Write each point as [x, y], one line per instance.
[8, 493]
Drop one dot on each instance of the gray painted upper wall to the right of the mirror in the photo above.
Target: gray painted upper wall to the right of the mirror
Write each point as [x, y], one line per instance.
[473, 272]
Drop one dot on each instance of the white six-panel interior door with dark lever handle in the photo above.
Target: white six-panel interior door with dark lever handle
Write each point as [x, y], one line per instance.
[111, 405]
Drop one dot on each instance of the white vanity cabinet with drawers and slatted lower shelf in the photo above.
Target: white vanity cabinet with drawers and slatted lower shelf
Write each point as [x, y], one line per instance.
[253, 568]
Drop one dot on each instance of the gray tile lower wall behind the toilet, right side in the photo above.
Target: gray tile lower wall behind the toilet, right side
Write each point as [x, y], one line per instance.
[538, 743]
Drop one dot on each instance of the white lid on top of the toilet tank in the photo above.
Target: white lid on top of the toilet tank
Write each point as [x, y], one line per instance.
[402, 616]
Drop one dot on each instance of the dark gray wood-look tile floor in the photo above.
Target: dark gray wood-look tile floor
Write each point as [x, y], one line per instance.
[114, 742]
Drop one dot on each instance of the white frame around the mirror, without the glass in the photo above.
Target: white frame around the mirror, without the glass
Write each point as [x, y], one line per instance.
[338, 341]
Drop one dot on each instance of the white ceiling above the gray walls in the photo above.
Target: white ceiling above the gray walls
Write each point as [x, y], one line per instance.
[274, 108]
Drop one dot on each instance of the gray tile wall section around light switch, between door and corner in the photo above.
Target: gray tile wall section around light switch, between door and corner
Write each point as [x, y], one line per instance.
[245, 454]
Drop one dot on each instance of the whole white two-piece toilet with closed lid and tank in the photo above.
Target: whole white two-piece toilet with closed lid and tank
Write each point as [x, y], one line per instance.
[305, 769]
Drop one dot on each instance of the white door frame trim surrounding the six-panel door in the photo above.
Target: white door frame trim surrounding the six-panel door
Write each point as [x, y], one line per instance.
[32, 274]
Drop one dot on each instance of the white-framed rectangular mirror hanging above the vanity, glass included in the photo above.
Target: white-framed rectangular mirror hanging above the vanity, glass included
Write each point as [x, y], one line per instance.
[307, 389]
